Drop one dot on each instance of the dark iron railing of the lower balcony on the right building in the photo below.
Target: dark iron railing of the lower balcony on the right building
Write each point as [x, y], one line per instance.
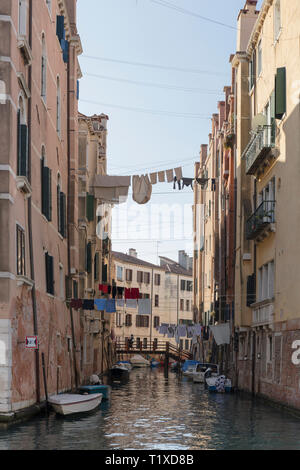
[263, 216]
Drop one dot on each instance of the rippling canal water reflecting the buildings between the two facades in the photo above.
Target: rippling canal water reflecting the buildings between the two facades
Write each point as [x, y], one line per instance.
[150, 412]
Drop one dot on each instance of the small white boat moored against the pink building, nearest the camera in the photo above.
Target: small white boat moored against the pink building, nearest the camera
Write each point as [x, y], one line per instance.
[68, 403]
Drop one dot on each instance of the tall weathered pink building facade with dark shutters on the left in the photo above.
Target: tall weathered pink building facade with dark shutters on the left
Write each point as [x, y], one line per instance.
[39, 73]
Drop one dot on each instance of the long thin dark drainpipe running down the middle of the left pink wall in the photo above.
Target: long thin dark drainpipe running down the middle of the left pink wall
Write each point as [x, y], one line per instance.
[29, 209]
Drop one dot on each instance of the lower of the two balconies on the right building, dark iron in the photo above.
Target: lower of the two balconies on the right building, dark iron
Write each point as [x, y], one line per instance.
[261, 222]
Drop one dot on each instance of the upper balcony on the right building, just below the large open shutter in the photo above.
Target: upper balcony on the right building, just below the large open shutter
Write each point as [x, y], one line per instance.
[259, 149]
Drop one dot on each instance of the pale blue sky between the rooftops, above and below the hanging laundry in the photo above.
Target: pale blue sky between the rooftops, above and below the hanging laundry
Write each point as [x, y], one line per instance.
[157, 68]
